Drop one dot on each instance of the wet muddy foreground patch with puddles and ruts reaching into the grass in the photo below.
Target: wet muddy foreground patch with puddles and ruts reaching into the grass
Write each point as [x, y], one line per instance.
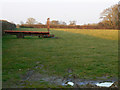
[69, 80]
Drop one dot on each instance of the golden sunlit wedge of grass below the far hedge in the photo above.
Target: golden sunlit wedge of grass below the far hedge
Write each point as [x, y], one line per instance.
[101, 33]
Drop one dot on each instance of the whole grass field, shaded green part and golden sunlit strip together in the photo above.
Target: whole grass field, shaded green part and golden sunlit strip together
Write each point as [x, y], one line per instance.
[89, 54]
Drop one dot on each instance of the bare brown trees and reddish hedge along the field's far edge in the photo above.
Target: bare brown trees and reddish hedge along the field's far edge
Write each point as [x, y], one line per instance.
[109, 20]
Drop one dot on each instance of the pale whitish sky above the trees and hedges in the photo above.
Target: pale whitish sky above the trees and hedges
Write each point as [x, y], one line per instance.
[82, 11]
